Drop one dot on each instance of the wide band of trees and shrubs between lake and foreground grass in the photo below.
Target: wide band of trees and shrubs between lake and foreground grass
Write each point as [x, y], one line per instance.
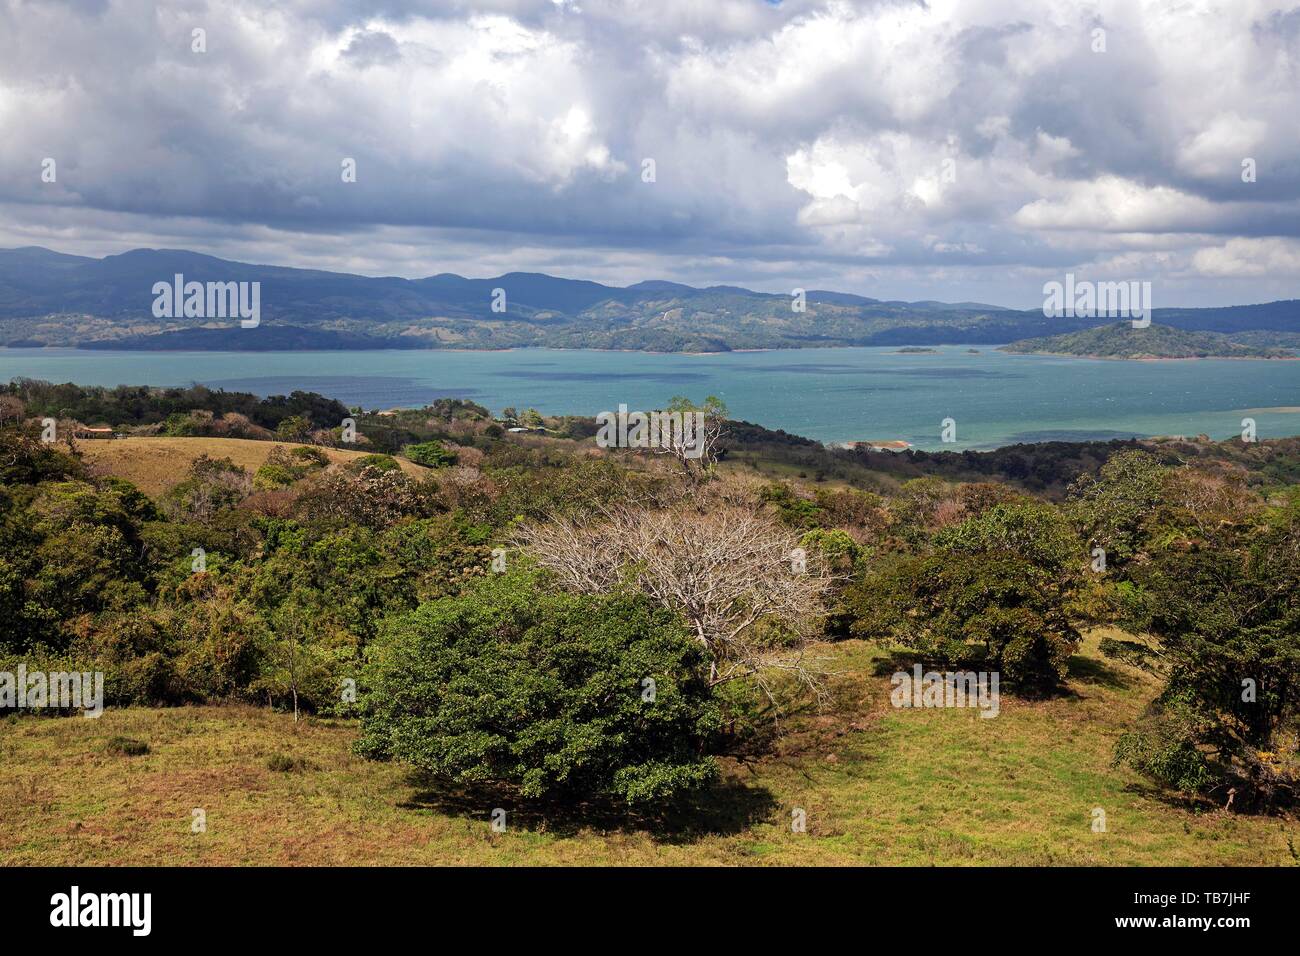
[543, 621]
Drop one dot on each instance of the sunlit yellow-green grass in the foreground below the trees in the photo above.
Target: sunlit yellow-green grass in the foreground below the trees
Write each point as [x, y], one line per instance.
[879, 786]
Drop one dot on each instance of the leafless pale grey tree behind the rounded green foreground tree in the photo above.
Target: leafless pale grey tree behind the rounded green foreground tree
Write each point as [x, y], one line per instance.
[742, 583]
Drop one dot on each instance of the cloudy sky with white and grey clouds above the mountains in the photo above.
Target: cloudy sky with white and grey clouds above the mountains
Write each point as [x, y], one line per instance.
[950, 150]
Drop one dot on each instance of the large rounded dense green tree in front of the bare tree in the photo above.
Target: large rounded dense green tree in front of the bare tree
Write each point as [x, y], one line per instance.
[552, 695]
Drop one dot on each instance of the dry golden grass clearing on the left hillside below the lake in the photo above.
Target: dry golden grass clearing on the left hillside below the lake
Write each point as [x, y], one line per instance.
[155, 465]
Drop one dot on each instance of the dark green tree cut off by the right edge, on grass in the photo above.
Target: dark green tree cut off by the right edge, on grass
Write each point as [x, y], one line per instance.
[1220, 598]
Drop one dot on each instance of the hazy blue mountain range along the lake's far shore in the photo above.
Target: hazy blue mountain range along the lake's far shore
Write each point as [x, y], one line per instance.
[50, 299]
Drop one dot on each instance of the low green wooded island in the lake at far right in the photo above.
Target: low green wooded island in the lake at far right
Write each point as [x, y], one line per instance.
[1123, 341]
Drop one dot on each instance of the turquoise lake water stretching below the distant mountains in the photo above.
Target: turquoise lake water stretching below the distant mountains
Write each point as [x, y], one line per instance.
[830, 395]
